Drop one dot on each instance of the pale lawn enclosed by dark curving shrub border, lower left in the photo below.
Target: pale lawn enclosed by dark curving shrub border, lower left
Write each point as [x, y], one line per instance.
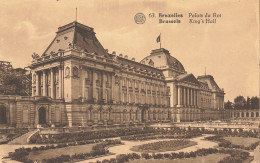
[51, 153]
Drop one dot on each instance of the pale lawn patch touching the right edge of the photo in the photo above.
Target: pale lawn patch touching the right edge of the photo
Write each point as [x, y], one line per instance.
[241, 140]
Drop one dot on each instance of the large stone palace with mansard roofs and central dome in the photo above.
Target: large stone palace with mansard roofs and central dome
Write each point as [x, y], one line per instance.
[76, 82]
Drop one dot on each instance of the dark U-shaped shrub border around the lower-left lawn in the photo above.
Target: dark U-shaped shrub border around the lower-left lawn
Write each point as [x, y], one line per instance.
[97, 150]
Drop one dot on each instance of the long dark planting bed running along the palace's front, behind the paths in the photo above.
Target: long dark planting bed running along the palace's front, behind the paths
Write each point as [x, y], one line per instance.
[126, 134]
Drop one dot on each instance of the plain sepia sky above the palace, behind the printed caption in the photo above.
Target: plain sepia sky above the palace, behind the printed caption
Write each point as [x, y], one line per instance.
[228, 49]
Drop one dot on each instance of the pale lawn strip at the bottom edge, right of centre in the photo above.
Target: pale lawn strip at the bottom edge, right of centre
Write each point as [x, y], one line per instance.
[211, 158]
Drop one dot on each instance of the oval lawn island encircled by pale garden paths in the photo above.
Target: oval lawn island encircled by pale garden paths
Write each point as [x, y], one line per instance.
[163, 146]
